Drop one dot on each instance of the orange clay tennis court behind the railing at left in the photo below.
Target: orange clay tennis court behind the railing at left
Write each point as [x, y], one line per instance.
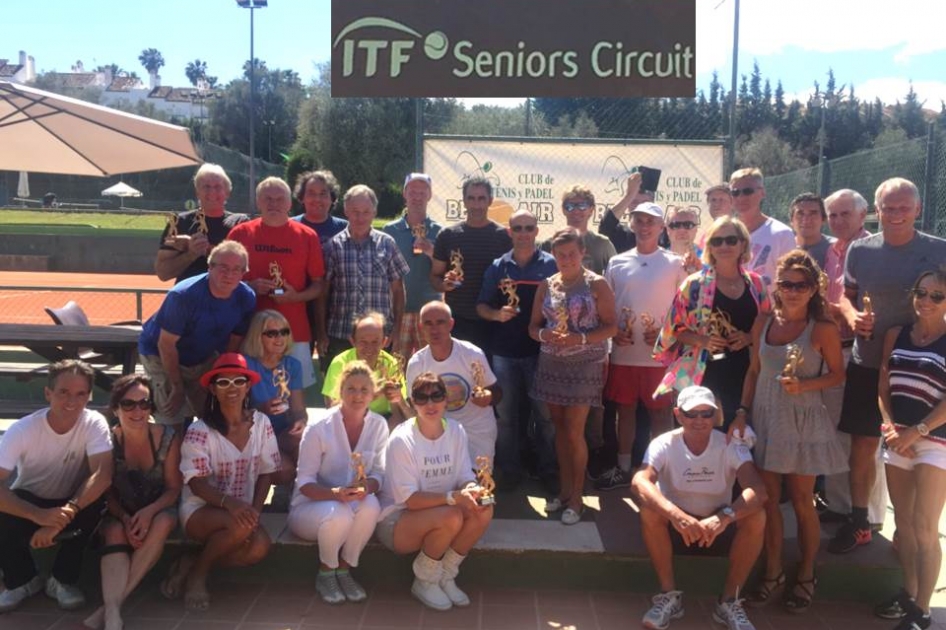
[117, 302]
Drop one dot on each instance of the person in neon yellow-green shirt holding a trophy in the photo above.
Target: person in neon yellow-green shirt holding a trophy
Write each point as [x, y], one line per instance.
[367, 340]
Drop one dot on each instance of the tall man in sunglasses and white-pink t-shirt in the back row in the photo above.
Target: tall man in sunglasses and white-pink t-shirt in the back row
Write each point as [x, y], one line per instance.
[769, 238]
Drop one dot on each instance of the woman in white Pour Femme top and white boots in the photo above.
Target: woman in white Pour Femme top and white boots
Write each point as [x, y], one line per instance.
[429, 498]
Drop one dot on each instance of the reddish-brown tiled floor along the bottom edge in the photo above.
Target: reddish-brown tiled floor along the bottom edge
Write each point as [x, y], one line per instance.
[262, 606]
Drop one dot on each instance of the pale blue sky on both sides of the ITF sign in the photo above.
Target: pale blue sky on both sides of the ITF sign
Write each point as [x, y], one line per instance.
[873, 45]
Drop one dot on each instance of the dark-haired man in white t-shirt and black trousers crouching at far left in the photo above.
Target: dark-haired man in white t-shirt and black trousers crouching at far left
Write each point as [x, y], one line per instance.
[63, 459]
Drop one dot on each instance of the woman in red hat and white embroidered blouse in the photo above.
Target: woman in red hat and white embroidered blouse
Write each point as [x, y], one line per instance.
[228, 458]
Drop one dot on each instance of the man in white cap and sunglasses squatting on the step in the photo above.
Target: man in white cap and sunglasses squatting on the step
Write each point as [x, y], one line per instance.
[684, 490]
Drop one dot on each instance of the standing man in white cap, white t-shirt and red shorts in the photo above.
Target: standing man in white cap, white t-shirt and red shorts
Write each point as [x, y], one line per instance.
[645, 281]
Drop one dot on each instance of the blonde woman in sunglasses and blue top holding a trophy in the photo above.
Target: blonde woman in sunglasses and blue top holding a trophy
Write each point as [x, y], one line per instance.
[278, 393]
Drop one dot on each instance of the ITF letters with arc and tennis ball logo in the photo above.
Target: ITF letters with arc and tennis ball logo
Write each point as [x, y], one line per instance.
[373, 51]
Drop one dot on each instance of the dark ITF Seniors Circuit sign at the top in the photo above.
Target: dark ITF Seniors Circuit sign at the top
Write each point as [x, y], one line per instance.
[519, 48]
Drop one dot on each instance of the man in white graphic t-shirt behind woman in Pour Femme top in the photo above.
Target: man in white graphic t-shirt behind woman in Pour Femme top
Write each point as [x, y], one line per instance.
[471, 384]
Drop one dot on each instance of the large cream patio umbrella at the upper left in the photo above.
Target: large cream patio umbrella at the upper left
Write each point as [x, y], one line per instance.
[44, 132]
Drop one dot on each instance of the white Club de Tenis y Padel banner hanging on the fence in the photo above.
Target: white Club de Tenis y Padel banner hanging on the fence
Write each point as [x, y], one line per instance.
[533, 175]
